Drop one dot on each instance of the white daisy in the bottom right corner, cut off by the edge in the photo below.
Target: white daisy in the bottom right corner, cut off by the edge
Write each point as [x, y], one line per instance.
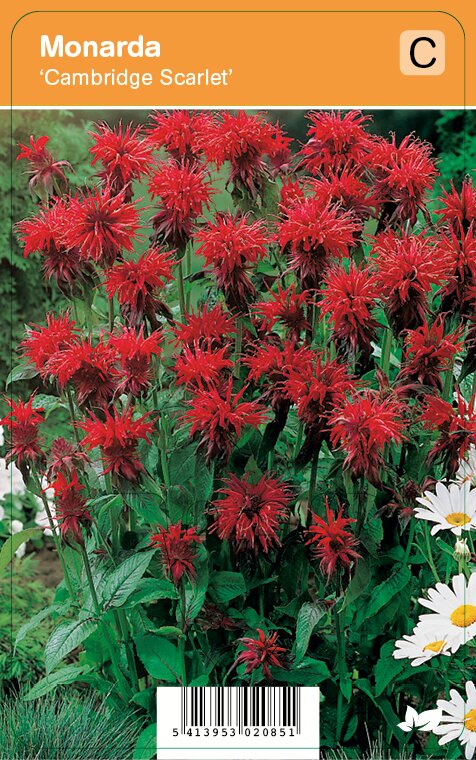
[460, 721]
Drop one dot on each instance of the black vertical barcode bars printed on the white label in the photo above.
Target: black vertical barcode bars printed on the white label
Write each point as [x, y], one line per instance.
[241, 707]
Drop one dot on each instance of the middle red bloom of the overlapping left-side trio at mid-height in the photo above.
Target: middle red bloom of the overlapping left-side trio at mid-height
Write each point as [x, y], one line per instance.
[90, 368]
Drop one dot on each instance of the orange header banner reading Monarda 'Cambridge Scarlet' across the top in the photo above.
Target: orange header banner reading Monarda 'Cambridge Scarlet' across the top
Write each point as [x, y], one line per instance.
[272, 56]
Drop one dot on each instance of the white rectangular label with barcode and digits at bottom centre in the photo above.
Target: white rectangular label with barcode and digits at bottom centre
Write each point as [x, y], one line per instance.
[238, 723]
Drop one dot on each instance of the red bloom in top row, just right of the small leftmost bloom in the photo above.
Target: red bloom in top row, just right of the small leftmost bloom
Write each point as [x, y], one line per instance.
[124, 156]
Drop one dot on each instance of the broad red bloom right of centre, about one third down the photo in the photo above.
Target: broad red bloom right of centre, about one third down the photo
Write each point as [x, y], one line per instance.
[312, 232]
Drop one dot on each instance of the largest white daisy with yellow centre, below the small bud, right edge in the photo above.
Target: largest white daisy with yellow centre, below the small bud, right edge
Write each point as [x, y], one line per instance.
[454, 618]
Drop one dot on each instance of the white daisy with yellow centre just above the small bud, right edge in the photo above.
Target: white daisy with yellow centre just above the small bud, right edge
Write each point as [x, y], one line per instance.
[452, 508]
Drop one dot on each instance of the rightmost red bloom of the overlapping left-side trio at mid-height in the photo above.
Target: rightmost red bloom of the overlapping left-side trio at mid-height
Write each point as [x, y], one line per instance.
[136, 354]
